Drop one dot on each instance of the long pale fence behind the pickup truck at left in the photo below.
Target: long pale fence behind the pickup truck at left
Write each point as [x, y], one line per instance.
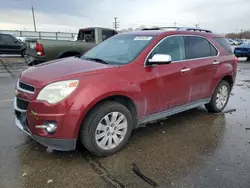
[41, 35]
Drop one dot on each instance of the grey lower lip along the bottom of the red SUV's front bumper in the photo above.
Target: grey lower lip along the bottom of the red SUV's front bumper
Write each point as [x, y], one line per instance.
[53, 143]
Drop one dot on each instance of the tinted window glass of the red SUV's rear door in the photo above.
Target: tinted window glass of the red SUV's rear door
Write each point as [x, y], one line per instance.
[199, 47]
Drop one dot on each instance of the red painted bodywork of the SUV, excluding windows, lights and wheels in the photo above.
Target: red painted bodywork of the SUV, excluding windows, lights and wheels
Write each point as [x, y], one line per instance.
[155, 90]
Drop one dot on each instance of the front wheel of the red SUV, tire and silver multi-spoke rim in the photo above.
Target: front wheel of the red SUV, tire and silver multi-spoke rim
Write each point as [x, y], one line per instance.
[106, 129]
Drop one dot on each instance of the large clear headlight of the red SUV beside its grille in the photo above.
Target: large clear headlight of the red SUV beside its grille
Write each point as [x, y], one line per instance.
[56, 92]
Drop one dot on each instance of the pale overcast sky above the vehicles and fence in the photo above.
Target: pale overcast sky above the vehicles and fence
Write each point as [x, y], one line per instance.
[69, 15]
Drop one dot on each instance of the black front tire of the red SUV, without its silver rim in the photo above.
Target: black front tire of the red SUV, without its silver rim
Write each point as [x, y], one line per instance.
[89, 126]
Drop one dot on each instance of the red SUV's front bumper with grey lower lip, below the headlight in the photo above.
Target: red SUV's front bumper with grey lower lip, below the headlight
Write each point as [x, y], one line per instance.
[64, 139]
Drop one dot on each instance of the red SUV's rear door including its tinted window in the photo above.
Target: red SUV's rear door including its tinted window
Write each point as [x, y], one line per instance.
[204, 60]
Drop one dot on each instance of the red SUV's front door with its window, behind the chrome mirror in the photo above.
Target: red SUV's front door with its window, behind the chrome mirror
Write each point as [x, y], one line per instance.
[174, 78]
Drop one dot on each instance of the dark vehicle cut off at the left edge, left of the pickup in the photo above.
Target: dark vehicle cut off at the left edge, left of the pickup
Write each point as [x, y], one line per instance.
[11, 45]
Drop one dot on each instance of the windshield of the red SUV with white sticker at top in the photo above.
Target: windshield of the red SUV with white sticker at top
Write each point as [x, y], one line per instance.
[120, 49]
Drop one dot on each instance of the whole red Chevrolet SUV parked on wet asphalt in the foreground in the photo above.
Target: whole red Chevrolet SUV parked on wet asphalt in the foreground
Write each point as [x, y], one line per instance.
[128, 80]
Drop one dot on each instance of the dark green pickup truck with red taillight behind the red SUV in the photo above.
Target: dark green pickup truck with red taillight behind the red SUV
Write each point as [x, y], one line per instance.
[42, 50]
